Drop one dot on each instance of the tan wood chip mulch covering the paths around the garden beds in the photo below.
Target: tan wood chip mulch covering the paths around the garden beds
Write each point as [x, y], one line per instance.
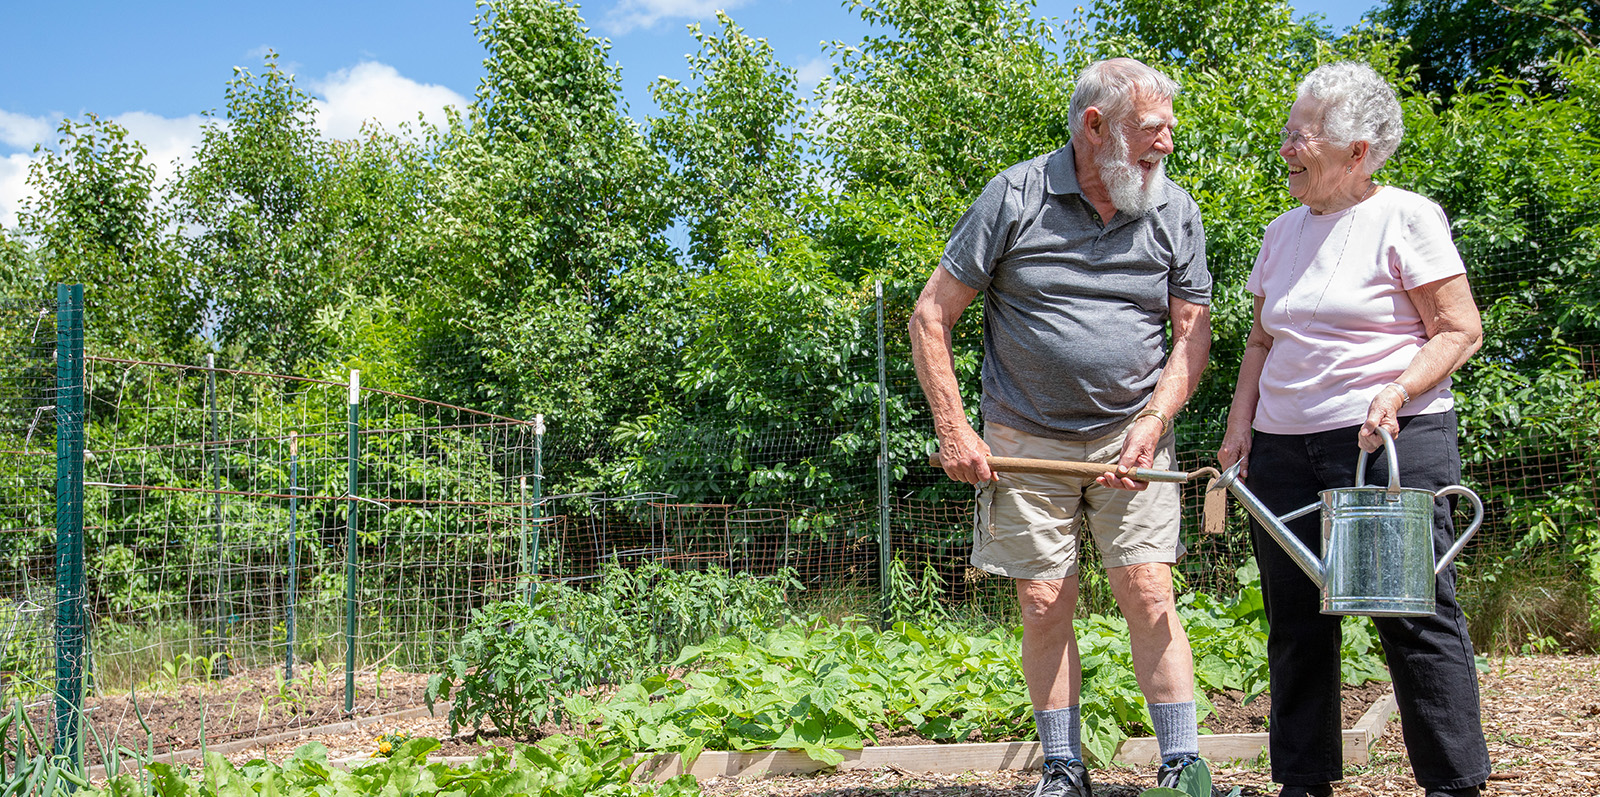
[1542, 716]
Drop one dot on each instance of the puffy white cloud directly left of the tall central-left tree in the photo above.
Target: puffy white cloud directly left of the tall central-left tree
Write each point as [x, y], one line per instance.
[378, 92]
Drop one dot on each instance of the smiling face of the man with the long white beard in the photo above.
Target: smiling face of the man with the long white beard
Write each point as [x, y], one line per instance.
[1130, 162]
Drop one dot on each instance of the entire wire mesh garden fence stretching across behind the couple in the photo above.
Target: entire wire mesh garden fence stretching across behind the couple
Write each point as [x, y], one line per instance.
[241, 523]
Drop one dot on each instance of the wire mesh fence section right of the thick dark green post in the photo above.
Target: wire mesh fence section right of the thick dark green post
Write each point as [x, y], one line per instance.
[233, 513]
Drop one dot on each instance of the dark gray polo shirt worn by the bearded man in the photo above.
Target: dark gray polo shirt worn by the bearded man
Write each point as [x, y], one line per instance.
[1074, 311]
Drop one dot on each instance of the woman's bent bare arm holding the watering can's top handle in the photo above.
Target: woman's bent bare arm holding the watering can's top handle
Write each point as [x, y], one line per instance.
[1455, 332]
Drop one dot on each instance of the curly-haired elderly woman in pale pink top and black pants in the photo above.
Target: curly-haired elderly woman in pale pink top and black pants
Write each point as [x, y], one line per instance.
[1362, 314]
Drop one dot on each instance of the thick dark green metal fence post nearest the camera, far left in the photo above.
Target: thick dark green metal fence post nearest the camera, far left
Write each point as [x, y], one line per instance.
[70, 521]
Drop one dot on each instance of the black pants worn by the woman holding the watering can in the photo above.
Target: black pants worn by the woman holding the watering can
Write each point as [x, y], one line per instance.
[1430, 659]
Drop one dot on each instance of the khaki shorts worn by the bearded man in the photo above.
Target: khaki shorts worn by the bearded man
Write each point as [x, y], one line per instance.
[1030, 526]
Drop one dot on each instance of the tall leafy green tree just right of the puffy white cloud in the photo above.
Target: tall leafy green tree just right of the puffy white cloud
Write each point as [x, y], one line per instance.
[553, 279]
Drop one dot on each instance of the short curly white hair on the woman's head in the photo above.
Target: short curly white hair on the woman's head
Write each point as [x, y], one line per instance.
[1356, 105]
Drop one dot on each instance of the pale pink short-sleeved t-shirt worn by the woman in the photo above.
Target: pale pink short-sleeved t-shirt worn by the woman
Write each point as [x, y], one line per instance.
[1335, 305]
